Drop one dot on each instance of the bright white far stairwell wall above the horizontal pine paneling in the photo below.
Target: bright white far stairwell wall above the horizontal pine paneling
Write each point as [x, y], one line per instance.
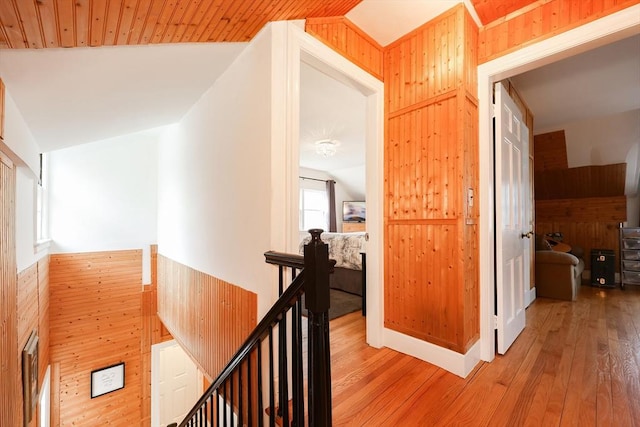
[103, 195]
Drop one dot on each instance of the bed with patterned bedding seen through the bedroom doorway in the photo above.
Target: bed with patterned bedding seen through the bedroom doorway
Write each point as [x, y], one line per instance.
[346, 249]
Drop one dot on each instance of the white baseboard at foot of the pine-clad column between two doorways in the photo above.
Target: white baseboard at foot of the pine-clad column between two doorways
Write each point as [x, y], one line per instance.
[456, 363]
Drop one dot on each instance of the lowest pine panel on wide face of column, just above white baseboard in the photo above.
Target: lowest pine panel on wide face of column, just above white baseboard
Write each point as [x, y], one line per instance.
[421, 293]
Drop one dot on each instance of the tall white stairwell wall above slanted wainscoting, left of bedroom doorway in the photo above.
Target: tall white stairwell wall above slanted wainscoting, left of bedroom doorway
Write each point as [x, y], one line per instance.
[215, 195]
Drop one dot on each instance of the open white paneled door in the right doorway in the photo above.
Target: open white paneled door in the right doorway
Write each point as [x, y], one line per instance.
[512, 213]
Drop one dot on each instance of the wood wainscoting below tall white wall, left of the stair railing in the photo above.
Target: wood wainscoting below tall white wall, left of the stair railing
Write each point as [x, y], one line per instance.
[208, 316]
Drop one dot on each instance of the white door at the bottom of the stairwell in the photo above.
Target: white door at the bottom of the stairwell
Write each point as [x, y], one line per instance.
[176, 384]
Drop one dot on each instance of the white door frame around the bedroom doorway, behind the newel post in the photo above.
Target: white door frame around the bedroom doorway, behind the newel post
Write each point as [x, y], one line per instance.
[298, 46]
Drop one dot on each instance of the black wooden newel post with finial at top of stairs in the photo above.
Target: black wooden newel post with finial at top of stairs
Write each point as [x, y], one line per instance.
[316, 267]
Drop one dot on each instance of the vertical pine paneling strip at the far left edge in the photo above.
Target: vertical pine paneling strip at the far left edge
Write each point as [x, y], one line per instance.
[10, 386]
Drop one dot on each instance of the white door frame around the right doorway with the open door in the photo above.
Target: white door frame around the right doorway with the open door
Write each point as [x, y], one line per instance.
[603, 31]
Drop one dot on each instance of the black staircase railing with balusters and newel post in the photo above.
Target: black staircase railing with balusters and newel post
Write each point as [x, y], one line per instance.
[273, 353]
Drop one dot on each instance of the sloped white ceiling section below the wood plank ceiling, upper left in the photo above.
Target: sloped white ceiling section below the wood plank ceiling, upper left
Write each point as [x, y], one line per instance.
[74, 96]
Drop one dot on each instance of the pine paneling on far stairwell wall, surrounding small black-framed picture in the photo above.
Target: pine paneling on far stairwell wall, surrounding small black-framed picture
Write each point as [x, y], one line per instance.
[95, 321]
